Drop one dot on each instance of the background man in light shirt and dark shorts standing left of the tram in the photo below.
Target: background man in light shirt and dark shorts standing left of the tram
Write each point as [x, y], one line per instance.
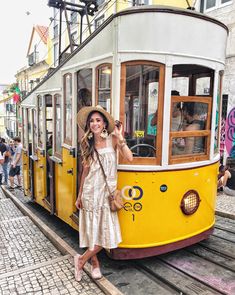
[16, 164]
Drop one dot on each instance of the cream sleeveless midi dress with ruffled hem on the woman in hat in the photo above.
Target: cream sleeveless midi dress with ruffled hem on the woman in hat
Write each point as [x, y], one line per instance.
[97, 224]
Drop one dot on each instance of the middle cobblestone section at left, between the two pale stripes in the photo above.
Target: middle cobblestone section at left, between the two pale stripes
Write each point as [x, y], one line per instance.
[23, 244]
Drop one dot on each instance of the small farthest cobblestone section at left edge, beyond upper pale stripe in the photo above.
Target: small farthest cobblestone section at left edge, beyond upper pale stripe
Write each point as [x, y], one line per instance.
[8, 210]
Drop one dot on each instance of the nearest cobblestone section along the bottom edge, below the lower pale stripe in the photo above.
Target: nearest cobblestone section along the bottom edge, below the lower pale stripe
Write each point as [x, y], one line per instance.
[57, 278]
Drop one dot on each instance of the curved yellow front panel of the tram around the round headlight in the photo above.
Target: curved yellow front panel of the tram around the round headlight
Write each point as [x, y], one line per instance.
[156, 218]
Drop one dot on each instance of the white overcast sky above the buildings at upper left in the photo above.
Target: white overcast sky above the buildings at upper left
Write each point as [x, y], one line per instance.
[17, 18]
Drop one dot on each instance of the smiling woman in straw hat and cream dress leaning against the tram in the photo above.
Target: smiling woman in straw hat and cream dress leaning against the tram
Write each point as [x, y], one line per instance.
[98, 226]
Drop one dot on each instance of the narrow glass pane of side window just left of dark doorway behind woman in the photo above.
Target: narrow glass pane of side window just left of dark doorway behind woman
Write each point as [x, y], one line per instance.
[68, 109]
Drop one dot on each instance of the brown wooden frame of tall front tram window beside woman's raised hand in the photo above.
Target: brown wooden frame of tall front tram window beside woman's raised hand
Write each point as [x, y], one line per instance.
[145, 160]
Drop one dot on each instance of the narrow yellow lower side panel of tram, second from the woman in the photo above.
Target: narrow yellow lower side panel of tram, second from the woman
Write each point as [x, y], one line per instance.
[40, 179]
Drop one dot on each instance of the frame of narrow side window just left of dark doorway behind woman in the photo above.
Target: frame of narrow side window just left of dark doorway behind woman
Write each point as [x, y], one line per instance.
[67, 139]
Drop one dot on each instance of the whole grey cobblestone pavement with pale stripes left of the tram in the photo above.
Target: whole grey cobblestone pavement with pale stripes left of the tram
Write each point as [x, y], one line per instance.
[29, 262]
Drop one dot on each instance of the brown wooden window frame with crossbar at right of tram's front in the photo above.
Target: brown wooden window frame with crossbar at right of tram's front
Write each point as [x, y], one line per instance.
[178, 159]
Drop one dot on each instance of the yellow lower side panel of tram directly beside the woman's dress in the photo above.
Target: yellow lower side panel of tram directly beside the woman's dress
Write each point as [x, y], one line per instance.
[65, 187]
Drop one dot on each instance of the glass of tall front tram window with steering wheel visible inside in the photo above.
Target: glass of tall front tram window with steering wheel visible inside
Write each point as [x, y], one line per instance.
[142, 115]
